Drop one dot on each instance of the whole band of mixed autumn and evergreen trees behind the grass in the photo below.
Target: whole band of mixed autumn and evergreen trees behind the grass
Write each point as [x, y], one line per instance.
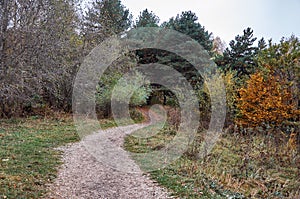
[42, 44]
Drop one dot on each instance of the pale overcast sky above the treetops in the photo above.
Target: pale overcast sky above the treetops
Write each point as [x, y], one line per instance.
[227, 18]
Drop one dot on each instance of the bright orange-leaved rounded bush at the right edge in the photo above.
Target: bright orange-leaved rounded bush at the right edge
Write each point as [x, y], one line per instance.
[265, 101]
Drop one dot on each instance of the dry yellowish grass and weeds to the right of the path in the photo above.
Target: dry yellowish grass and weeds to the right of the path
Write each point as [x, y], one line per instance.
[239, 166]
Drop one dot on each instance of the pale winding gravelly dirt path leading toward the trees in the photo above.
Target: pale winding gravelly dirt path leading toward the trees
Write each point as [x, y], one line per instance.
[83, 176]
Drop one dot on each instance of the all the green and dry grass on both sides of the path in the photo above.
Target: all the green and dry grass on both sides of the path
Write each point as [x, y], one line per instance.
[238, 167]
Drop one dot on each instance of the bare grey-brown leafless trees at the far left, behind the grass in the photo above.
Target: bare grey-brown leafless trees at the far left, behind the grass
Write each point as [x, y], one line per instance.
[38, 55]
